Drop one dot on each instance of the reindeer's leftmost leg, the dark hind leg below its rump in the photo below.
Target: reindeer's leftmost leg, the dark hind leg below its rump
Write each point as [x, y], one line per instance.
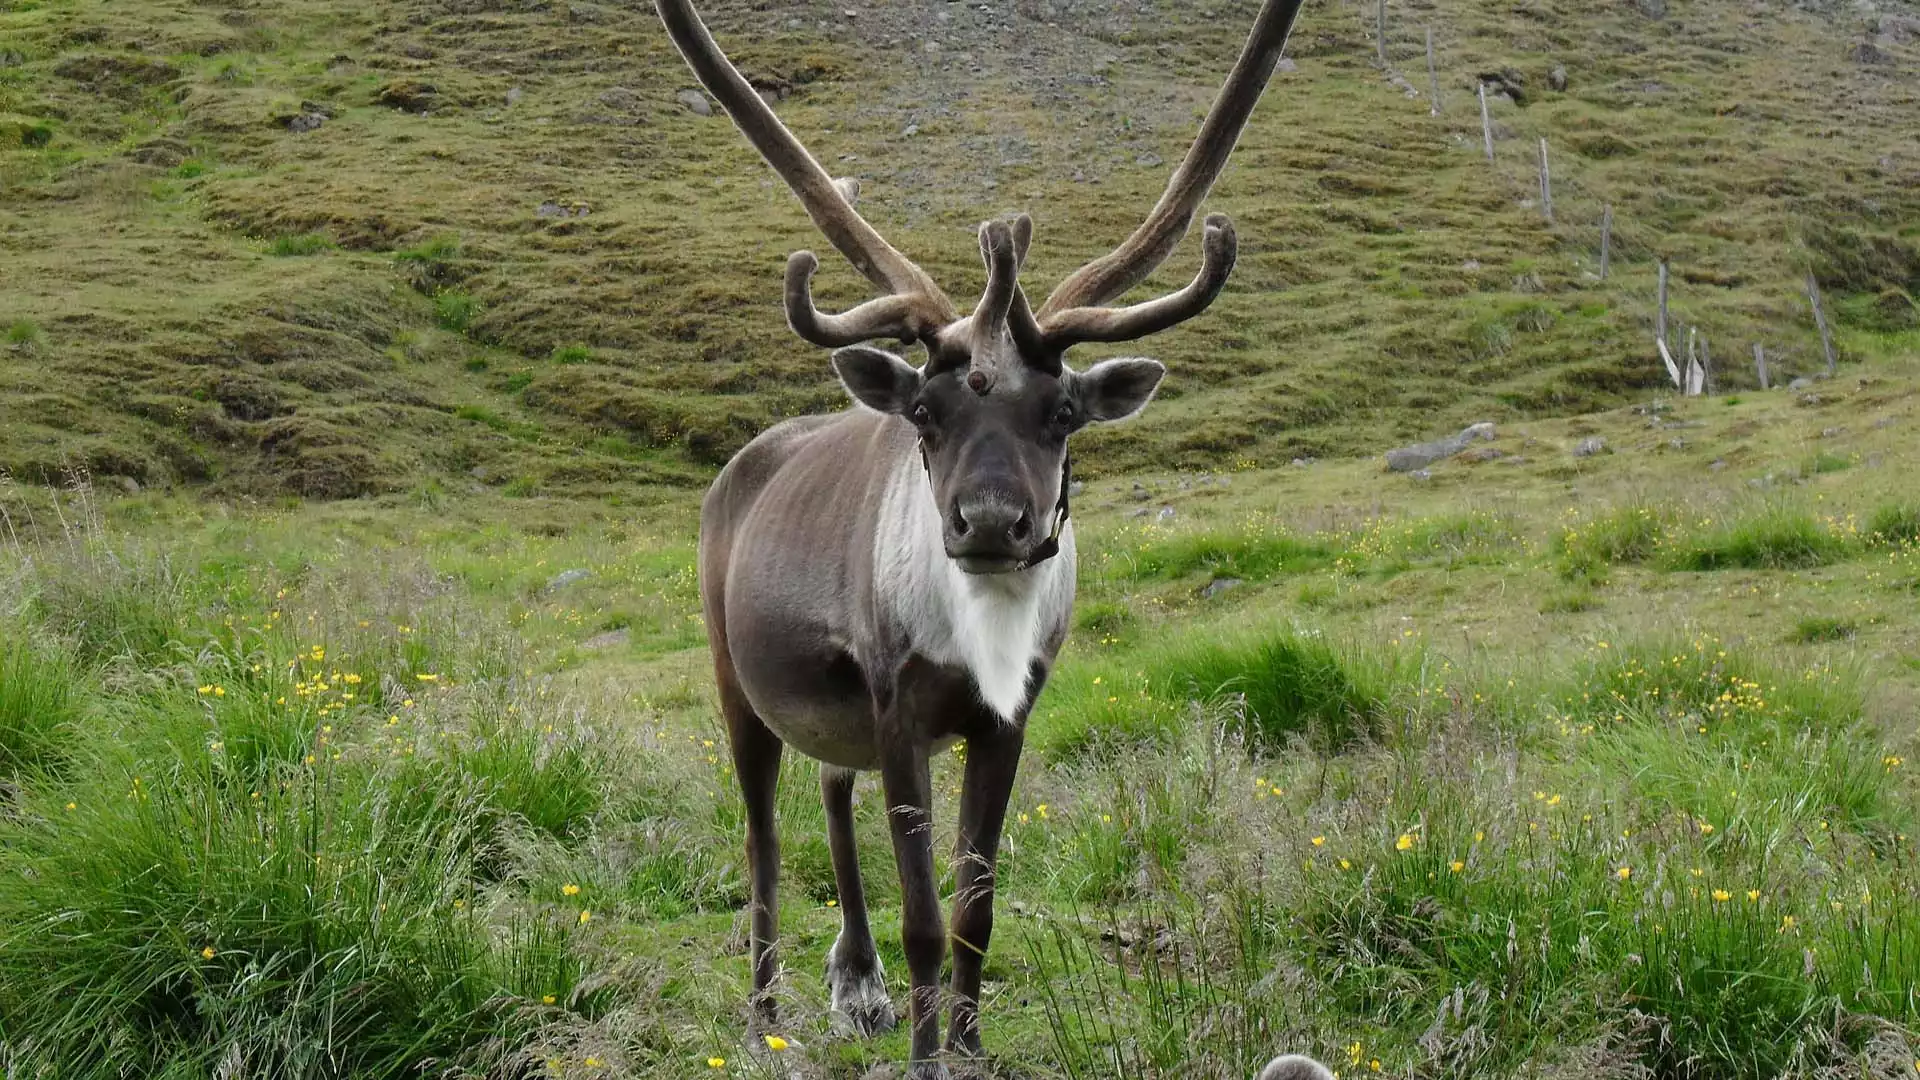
[757, 766]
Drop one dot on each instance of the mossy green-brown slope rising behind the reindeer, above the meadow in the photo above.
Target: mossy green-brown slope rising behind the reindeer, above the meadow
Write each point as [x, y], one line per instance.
[508, 255]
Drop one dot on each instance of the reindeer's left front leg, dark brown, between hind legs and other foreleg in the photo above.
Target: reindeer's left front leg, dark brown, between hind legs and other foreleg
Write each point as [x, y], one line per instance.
[909, 791]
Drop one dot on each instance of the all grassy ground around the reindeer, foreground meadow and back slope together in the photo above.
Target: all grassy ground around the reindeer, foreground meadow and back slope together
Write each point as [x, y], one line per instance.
[362, 370]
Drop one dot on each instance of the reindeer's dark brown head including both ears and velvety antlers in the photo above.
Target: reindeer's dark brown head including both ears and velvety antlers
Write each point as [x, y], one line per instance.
[996, 401]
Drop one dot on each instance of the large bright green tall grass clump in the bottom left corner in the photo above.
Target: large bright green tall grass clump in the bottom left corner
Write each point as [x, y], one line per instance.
[172, 914]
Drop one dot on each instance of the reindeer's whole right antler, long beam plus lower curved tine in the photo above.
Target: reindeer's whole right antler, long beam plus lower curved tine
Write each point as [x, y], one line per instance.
[1074, 310]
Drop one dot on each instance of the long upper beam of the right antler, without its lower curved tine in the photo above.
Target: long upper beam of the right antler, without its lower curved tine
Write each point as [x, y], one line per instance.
[1151, 245]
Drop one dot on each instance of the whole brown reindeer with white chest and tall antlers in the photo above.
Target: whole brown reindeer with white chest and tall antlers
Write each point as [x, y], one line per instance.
[888, 581]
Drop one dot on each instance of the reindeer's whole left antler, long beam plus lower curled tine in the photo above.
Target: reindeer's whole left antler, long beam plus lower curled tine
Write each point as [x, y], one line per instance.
[915, 307]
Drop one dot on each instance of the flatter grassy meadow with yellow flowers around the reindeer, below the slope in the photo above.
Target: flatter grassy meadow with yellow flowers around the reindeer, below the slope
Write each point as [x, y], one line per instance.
[1547, 766]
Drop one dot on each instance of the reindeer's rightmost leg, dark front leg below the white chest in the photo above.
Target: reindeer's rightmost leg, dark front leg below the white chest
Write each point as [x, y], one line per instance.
[992, 760]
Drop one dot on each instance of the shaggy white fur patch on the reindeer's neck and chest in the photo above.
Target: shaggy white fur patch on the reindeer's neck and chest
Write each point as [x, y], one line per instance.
[992, 626]
